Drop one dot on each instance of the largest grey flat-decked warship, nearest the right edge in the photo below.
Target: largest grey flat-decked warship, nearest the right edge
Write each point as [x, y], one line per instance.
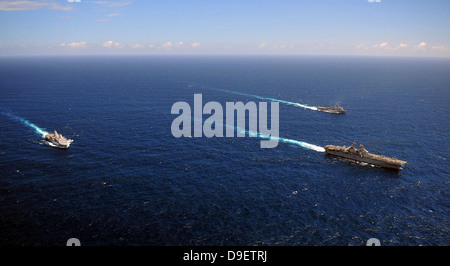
[362, 155]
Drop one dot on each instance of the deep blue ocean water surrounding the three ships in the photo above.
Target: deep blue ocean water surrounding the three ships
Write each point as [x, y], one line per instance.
[127, 181]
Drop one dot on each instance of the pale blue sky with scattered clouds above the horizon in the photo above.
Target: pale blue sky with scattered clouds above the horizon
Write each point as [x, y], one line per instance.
[226, 27]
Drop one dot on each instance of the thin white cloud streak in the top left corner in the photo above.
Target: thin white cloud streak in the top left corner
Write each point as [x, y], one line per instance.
[32, 5]
